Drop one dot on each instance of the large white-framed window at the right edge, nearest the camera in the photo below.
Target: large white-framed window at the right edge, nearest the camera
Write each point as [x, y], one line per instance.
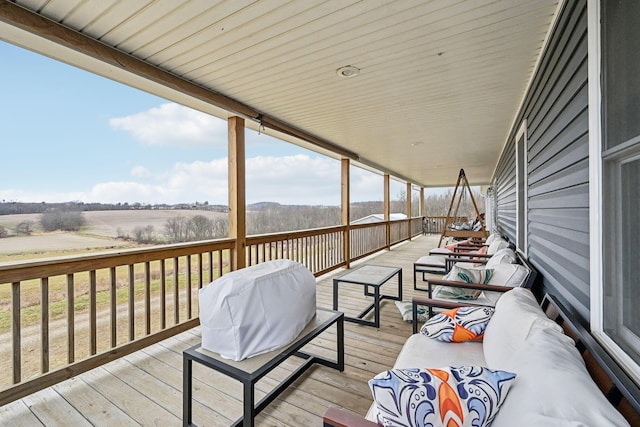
[615, 140]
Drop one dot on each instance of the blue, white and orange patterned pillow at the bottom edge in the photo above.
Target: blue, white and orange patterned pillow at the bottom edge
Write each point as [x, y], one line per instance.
[451, 396]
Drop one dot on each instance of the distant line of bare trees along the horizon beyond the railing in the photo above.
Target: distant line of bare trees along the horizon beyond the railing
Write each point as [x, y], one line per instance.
[262, 218]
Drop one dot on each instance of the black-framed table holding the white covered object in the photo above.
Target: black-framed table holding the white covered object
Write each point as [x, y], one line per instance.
[250, 370]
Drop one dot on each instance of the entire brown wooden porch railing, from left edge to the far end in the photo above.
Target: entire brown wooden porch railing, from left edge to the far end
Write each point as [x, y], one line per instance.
[67, 315]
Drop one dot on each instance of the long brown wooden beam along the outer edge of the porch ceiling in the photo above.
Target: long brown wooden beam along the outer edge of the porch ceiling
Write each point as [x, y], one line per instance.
[27, 20]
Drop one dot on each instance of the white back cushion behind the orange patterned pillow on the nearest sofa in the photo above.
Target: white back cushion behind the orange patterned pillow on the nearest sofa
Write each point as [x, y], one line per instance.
[517, 313]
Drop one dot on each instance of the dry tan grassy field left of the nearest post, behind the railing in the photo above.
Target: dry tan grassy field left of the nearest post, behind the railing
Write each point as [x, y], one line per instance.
[98, 235]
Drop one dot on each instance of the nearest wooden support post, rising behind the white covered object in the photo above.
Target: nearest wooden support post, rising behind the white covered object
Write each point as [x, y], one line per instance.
[237, 197]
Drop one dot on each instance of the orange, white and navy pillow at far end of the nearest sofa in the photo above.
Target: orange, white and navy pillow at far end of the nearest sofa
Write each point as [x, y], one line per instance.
[458, 325]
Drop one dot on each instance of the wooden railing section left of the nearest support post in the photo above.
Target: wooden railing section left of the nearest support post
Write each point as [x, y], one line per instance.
[71, 314]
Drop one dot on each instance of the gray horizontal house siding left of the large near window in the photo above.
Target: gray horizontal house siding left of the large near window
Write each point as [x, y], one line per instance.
[556, 111]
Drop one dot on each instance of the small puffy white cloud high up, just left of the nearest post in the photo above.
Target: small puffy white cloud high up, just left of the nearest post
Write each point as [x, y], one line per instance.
[175, 125]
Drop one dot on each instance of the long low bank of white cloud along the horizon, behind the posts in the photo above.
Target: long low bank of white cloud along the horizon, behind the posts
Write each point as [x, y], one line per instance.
[297, 179]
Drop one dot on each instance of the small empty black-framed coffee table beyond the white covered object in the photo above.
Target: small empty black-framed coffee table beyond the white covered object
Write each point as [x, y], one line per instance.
[373, 276]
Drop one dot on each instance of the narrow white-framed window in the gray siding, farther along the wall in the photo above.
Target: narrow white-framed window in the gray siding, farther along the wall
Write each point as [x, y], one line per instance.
[521, 188]
